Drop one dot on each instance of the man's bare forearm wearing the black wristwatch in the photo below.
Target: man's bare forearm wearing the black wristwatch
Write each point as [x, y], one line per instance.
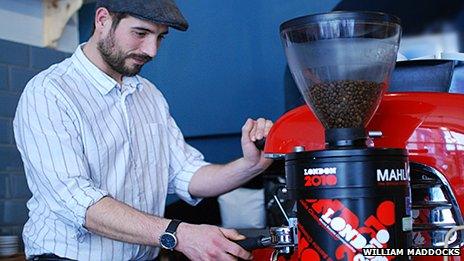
[111, 218]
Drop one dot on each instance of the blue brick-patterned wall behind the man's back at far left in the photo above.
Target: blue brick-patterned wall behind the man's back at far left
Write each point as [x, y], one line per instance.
[18, 64]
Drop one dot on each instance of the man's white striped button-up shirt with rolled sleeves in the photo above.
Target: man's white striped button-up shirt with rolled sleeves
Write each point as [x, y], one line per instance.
[83, 136]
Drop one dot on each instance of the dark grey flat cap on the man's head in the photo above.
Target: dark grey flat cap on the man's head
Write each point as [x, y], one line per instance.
[157, 11]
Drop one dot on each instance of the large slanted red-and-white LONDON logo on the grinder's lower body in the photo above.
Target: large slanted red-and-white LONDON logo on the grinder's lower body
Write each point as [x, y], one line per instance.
[346, 227]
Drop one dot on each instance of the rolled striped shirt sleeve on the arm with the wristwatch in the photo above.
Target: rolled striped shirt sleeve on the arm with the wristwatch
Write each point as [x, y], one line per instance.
[48, 138]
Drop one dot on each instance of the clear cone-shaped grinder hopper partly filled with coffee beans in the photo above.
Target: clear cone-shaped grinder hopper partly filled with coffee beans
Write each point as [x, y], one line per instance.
[341, 63]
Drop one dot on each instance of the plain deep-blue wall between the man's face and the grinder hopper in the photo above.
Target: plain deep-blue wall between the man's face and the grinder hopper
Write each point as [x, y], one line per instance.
[229, 65]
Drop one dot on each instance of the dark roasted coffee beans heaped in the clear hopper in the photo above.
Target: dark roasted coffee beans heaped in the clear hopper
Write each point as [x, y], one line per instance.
[345, 103]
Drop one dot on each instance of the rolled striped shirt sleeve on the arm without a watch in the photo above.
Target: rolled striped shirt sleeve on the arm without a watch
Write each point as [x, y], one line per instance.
[185, 160]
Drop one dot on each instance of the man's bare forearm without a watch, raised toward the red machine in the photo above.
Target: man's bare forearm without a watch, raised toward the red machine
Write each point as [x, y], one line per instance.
[213, 180]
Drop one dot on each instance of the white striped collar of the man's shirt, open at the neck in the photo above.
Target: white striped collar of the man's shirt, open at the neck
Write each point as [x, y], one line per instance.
[102, 81]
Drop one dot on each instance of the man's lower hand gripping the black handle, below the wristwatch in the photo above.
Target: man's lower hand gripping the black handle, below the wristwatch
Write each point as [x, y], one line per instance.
[205, 242]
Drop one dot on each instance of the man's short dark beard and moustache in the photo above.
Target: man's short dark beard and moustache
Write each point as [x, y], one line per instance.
[116, 58]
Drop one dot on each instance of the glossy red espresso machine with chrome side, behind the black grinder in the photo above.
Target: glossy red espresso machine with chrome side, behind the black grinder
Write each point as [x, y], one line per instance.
[431, 127]
